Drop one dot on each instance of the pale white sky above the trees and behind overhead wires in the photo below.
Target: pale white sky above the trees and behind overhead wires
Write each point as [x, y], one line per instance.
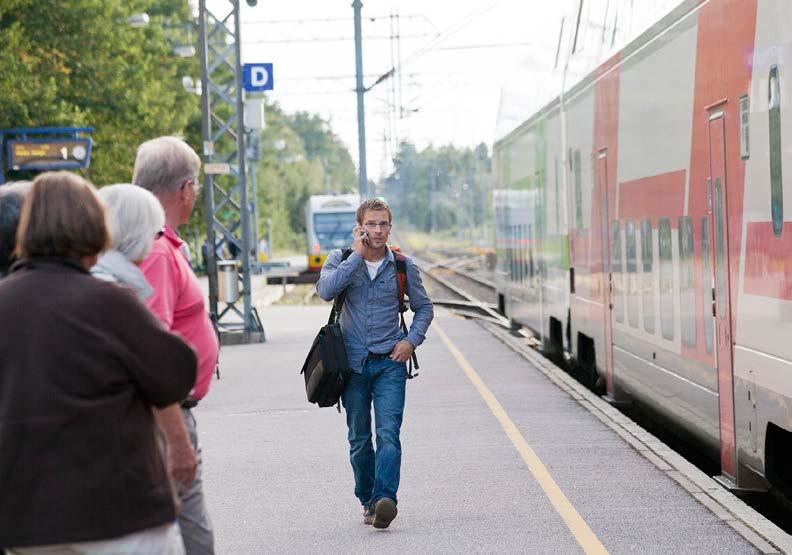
[455, 58]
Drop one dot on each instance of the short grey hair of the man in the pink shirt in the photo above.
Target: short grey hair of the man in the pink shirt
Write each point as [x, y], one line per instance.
[162, 165]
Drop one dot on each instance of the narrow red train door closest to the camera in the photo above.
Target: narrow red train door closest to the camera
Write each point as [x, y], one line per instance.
[719, 231]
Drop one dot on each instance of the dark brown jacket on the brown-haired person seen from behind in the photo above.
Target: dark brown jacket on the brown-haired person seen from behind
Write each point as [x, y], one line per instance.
[81, 363]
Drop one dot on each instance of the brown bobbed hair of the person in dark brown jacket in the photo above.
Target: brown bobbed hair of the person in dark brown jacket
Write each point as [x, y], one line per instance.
[62, 217]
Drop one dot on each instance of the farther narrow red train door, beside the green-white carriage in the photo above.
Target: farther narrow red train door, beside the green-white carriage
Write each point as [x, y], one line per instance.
[607, 277]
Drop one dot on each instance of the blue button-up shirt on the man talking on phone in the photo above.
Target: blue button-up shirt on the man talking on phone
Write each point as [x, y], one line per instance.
[370, 315]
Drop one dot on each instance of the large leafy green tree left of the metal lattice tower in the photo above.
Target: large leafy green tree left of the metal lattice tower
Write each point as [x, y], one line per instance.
[78, 63]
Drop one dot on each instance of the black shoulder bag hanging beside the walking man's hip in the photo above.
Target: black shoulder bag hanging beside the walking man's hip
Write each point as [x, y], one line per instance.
[326, 369]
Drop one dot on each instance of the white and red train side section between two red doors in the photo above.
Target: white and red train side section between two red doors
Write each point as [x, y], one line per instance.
[661, 355]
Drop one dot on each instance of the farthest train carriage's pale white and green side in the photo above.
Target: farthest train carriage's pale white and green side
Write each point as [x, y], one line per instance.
[531, 238]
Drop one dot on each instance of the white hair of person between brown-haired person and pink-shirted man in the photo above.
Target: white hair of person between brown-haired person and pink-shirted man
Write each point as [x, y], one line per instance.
[134, 216]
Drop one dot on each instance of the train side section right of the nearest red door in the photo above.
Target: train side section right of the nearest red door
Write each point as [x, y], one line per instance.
[763, 350]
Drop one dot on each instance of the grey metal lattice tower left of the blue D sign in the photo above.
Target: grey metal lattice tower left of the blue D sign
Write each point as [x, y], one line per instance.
[228, 211]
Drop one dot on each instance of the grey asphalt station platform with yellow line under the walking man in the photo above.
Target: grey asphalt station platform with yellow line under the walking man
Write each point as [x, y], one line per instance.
[496, 458]
